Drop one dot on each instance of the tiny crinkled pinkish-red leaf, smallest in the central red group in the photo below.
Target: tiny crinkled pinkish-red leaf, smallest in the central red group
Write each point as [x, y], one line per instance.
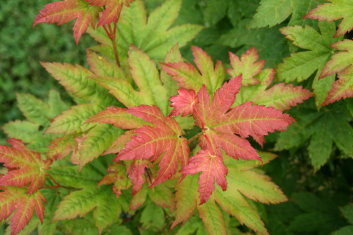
[183, 103]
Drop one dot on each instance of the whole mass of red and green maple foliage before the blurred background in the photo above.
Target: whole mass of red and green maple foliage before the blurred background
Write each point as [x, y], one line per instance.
[155, 140]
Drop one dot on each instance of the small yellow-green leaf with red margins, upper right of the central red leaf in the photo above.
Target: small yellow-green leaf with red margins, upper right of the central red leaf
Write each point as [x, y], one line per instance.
[247, 65]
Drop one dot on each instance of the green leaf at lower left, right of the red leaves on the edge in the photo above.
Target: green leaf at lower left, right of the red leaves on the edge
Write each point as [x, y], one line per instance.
[88, 196]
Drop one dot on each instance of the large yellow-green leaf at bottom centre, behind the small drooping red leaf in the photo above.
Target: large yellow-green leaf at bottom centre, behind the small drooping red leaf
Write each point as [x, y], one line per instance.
[233, 200]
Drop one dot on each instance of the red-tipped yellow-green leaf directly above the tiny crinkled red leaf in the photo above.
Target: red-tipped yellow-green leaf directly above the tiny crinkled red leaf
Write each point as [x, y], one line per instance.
[190, 77]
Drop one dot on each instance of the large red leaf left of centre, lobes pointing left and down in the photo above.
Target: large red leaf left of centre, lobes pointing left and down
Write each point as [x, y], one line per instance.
[164, 138]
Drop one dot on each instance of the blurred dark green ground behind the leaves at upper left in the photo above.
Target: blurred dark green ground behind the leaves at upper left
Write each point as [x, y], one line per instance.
[23, 47]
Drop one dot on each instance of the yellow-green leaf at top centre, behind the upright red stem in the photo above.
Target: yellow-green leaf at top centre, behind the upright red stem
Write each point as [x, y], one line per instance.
[156, 34]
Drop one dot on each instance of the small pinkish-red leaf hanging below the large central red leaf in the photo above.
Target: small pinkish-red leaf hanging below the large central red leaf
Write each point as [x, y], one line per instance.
[213, 169]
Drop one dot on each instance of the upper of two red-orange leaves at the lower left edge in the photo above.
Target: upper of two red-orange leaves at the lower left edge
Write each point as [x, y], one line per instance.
[25, 167]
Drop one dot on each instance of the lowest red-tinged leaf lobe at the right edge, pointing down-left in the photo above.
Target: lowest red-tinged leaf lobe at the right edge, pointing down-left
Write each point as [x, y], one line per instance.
[342, 88]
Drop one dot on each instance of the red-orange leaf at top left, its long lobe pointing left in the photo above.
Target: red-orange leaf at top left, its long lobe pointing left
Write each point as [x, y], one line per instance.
[64, 11]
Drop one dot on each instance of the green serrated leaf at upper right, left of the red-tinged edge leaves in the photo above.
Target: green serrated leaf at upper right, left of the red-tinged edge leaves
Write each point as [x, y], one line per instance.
[301, 65]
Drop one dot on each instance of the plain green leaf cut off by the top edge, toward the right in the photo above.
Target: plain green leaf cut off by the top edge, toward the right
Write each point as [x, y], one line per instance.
[273, 12]
